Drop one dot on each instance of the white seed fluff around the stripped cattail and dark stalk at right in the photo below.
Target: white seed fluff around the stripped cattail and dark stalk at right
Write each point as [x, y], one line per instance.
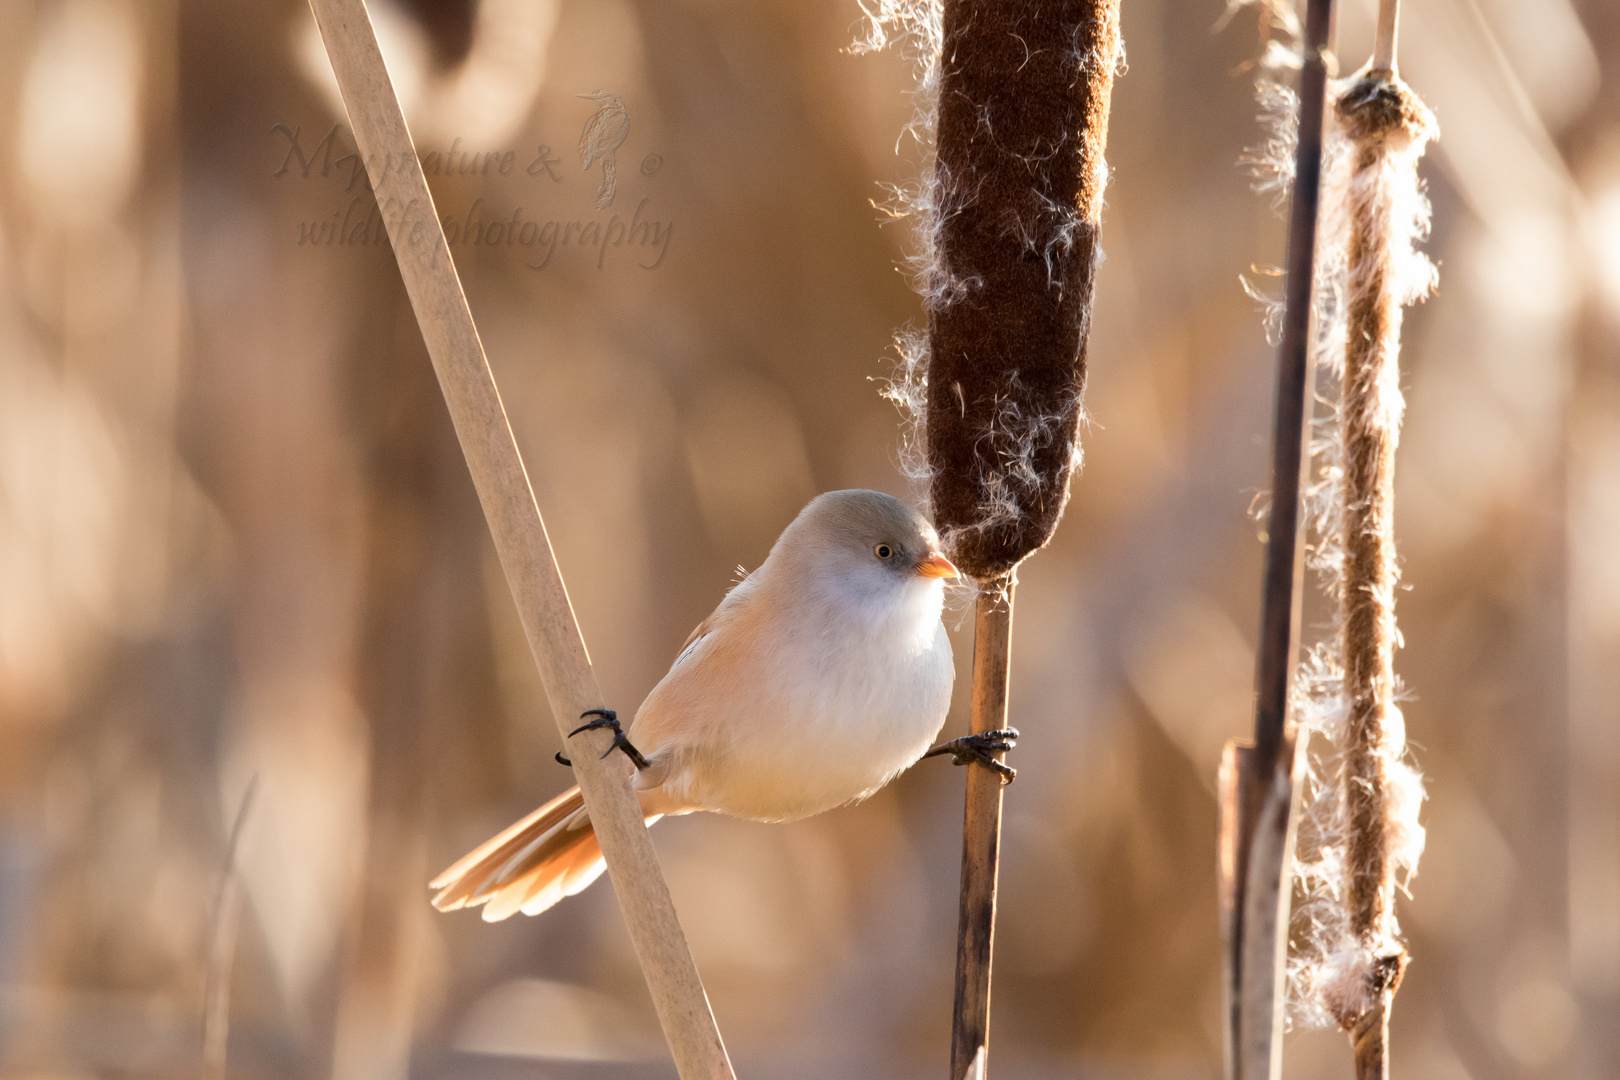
[1331, 971]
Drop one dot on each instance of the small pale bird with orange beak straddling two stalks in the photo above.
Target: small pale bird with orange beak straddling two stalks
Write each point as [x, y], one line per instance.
[819, 679]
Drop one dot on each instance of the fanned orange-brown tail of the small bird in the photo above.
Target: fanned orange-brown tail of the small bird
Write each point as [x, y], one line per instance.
[529, 867]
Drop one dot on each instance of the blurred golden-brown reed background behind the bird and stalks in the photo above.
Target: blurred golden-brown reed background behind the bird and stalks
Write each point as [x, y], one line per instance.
[237, 540]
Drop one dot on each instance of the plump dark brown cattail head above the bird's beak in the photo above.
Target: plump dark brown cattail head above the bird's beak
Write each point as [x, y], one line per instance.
[1021, 132]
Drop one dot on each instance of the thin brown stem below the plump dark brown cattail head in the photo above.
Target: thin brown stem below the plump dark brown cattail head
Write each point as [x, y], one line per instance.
[983, 833]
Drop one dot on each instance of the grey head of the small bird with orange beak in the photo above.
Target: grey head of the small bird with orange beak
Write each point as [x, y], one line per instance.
[866, 548]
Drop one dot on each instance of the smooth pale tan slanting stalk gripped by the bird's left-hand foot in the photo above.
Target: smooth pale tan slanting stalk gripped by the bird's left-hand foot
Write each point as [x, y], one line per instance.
[519, 532]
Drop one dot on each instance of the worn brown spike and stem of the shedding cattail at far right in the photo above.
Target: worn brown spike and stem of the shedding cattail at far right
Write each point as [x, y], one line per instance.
[1388, 129]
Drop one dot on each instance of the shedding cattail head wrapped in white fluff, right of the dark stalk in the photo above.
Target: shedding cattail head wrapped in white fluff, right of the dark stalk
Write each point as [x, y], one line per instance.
[1362, 836]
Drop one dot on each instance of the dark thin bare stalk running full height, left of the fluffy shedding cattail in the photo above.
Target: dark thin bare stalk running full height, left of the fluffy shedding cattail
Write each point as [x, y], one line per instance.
[1269, 793]
